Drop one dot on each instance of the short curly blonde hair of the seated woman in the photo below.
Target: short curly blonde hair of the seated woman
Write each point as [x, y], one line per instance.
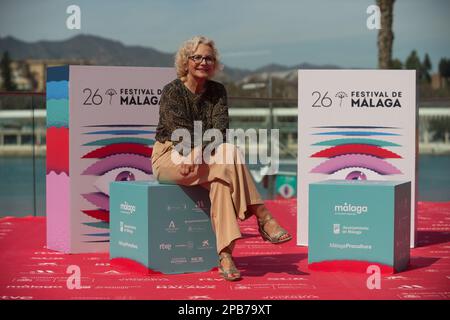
[187, 49]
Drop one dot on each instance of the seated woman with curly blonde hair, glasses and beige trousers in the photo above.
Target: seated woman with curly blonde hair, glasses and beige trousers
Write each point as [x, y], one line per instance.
[194, 97]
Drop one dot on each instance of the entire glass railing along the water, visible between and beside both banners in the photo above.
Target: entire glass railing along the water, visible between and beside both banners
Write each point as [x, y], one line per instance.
[23, 163]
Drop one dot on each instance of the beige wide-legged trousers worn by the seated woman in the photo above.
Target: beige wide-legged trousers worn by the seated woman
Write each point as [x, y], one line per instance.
[230, 184]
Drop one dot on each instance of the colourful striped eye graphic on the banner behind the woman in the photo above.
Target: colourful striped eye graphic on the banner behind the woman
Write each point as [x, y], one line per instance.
[122, 158]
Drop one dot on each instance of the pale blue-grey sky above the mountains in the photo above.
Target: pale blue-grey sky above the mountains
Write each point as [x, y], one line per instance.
[249, 33]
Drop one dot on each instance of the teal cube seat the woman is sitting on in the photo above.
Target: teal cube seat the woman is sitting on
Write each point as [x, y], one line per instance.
[164, 227]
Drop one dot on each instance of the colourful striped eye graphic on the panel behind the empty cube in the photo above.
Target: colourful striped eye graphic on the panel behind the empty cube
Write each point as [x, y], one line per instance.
[354, 158]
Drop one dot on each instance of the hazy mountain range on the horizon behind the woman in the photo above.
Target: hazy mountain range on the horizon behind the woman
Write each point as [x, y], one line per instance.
[102, 51]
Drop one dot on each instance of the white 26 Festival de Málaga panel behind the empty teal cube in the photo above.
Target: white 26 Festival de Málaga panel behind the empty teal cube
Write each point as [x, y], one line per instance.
[355, 124]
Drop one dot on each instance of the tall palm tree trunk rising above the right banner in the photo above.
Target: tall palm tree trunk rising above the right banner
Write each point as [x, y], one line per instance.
[385, 35]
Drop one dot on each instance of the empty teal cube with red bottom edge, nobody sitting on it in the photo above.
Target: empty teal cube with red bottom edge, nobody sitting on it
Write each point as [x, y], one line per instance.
[354, 224]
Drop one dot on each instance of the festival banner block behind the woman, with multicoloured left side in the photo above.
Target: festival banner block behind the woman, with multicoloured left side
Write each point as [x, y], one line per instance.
[101, 125]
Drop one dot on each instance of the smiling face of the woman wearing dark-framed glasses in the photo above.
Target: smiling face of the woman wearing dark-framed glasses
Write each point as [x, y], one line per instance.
[202, 62]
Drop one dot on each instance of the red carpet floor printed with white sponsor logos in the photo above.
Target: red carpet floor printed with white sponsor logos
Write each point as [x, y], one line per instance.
[30, 271]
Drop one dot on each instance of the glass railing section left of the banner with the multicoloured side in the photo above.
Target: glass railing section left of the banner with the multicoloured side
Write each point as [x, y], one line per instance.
[22, 154]
